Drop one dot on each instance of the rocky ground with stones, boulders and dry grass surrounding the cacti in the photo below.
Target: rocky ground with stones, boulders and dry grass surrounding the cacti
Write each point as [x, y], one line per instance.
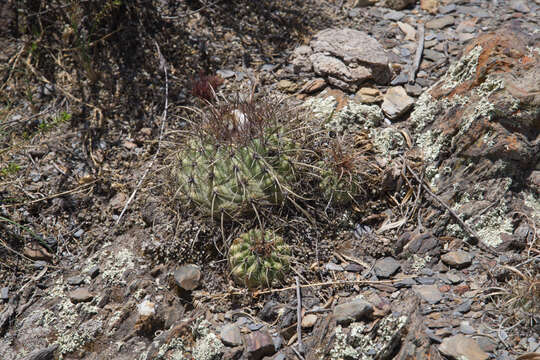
[99, 259]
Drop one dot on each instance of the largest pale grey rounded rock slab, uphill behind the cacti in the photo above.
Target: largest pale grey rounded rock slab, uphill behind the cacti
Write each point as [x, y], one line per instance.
[354, 47]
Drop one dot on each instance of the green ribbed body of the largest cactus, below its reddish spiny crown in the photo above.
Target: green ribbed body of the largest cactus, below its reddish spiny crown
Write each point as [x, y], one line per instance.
[226, 180]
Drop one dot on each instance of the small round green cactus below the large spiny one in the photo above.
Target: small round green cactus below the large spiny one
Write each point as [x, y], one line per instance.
[258, 258]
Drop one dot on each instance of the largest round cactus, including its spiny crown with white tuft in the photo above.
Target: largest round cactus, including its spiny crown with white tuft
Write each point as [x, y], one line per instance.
[238, 163]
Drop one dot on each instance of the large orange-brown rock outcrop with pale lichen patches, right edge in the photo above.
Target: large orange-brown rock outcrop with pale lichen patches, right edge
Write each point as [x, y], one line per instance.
[478, 128]
